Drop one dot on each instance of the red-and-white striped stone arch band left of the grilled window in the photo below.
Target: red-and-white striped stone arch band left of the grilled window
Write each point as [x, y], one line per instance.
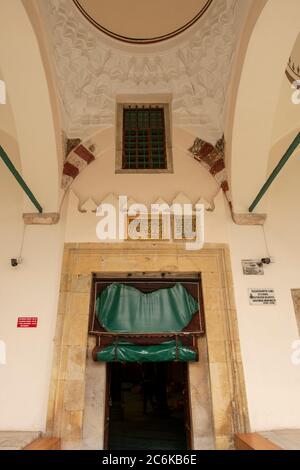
[77, 160]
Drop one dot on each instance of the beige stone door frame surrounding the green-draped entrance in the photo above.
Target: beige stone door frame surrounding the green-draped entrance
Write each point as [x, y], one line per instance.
[67, 396]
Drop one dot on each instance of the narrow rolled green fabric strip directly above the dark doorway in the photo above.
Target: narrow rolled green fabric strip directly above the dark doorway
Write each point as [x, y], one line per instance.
[128, 352]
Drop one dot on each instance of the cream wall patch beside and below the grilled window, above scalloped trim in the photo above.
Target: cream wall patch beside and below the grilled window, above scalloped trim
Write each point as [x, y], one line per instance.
[189, 177]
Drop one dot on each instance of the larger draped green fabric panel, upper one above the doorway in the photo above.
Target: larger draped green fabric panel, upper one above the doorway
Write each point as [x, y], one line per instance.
[125, 309]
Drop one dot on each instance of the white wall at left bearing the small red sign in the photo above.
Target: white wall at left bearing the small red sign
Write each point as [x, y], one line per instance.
[28, 290]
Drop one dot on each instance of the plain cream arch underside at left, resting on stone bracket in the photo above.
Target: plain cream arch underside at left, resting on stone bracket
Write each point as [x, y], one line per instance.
[23, 71]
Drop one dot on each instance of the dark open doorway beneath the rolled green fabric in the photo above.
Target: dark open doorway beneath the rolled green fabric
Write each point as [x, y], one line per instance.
[147, 406]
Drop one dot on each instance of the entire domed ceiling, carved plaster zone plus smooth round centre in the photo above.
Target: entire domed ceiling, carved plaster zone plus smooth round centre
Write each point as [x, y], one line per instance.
[193, 68]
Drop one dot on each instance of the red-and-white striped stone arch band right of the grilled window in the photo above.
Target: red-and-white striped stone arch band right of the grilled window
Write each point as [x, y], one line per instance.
[212, 158]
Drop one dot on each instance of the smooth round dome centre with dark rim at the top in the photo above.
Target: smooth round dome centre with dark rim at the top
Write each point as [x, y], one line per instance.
[146, 21]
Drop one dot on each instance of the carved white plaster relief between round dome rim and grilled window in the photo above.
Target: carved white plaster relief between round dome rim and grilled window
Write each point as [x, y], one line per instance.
[91, 71]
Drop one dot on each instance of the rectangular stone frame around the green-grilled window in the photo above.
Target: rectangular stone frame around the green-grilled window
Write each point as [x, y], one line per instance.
[119, 139]
